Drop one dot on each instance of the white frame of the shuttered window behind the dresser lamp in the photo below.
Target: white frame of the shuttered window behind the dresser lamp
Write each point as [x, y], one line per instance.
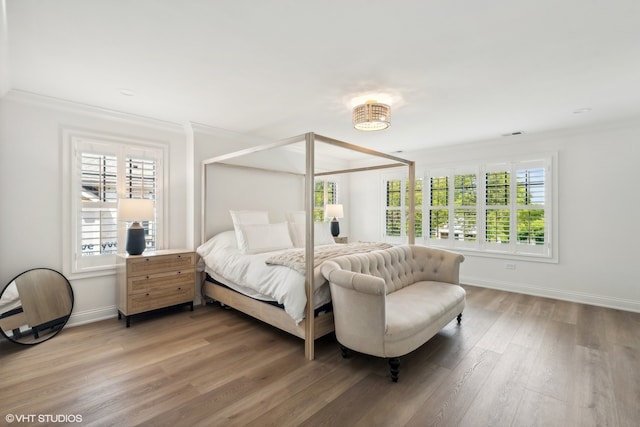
[74, 143]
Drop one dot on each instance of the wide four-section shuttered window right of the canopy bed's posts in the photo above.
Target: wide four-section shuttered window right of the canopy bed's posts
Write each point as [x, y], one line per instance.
[508, 210]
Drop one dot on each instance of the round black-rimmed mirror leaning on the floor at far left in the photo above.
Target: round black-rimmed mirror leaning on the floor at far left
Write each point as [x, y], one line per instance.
[35, 306]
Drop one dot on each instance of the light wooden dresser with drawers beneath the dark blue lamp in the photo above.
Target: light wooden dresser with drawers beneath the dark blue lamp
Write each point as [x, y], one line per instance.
[154, 280]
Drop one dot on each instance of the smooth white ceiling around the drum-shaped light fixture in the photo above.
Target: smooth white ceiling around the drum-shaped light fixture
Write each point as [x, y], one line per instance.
[454, 71]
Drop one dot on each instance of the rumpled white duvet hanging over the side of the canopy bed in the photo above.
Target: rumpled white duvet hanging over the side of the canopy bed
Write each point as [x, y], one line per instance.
[250, 275]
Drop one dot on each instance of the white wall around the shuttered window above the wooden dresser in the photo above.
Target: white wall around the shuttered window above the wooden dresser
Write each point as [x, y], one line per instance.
[31, 176]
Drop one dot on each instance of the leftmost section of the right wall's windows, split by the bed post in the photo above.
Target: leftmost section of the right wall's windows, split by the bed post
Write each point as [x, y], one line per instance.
[397, 208]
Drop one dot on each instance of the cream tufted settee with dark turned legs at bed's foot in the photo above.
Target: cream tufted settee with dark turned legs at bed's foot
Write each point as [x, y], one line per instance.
[389, 302]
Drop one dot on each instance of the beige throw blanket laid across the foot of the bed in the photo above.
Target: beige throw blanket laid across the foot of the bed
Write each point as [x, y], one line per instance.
[295, 258]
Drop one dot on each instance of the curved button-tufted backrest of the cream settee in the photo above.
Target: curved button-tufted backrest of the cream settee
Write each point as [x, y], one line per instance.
[401, 266]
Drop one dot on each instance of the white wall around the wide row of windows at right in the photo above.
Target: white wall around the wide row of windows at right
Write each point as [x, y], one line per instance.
[598, 206]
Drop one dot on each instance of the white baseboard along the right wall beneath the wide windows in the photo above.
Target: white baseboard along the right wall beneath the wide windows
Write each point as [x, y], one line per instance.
[579, 297]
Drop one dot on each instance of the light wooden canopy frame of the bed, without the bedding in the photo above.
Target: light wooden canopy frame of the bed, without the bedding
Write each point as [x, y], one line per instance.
[312, 327]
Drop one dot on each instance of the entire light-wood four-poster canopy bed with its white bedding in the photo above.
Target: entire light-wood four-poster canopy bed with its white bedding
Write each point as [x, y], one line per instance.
[243, 249]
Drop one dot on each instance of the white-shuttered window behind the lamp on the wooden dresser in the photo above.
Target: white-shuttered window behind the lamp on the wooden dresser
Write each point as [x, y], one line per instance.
[103, 170]
